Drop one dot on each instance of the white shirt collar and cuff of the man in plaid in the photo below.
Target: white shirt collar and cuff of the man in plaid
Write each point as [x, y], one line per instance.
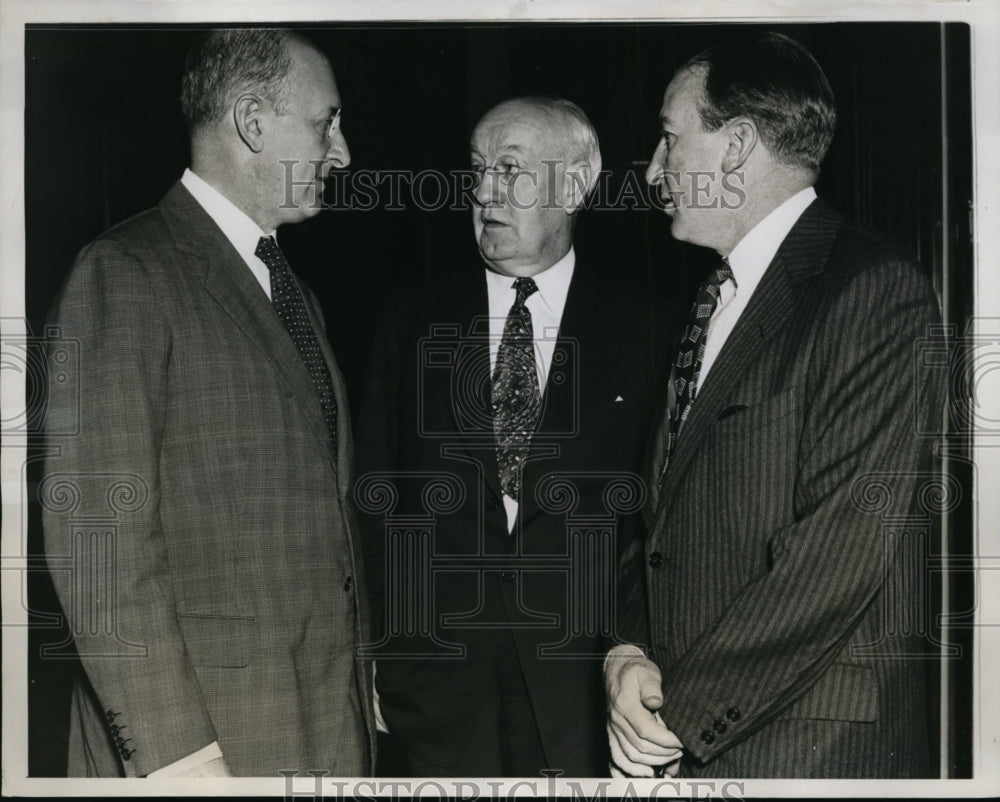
[244, 235]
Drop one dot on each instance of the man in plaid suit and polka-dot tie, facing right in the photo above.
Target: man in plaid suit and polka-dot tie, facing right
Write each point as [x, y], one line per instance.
[217, 616]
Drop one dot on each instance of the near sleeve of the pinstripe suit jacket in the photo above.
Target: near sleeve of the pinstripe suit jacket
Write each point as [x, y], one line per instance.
[786, 627]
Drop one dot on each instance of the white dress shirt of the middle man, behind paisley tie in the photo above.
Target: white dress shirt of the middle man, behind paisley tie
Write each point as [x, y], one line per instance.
[546, 308]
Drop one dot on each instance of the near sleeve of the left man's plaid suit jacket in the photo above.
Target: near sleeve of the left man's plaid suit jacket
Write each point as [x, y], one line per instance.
[118, 594]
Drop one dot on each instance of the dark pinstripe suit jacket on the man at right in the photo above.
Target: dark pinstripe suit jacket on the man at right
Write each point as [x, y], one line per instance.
[776, 586]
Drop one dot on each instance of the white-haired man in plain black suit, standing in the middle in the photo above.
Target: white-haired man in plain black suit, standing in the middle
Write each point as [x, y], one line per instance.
[503, 427]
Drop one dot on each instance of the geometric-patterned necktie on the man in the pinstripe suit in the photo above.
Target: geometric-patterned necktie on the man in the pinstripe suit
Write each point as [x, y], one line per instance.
[687, 365]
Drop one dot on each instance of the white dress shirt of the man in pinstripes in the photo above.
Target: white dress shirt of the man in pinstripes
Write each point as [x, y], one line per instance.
[748, 261]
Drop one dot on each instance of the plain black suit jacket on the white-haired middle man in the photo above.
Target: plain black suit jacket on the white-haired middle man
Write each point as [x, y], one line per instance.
[427, 419]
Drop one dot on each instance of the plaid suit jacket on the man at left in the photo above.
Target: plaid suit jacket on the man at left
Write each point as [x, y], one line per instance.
[225, 603]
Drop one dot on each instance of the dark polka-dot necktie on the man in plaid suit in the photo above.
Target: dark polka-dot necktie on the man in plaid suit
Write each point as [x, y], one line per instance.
[291, 308]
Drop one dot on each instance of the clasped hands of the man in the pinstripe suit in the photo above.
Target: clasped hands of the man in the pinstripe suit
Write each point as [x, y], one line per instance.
[641, 744]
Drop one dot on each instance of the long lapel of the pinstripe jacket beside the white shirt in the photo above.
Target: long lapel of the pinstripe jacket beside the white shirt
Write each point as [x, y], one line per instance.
[802, 254]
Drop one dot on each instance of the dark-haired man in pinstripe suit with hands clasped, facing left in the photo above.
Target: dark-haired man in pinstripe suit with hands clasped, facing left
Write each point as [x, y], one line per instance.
[773, 584]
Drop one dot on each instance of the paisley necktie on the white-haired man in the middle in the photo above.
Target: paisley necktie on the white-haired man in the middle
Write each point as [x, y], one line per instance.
[517, 401]
